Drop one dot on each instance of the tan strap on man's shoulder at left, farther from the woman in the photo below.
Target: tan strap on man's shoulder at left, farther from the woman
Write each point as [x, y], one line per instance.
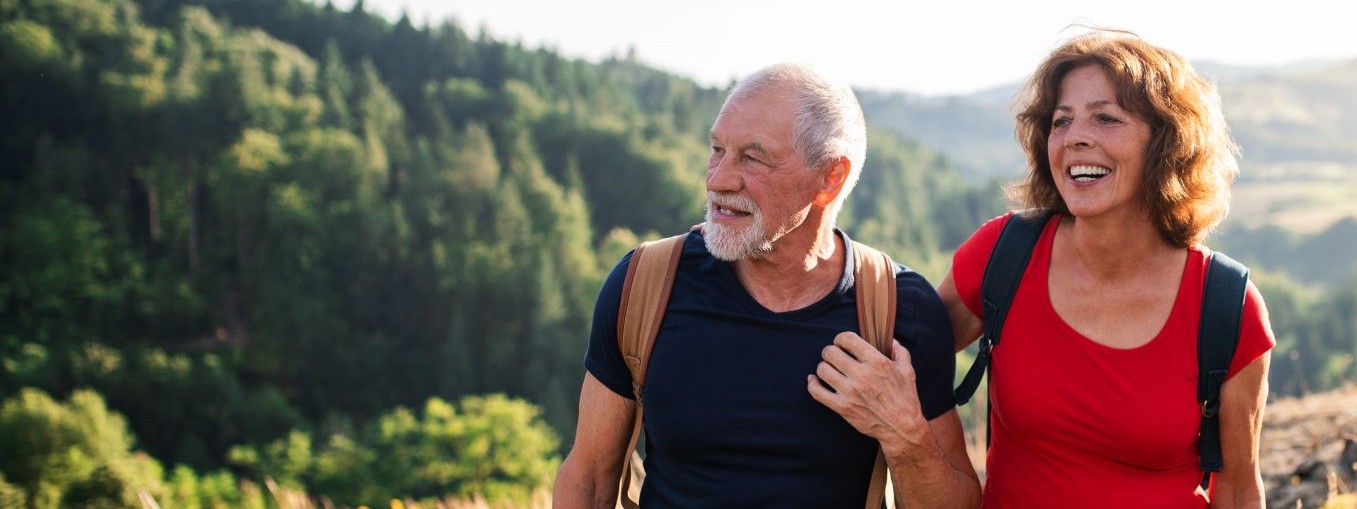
[645, 293]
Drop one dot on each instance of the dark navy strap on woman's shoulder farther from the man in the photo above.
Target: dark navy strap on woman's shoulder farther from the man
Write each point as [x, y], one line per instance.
[1222, 310]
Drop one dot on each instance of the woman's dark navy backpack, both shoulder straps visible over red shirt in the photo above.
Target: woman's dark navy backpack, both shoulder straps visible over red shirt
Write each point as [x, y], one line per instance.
[1222, 310]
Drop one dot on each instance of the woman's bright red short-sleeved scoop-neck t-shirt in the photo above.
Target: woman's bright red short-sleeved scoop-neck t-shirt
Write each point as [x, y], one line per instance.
[1077, 424]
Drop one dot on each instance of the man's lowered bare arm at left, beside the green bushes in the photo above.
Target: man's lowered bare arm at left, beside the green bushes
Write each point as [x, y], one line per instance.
[588, 478]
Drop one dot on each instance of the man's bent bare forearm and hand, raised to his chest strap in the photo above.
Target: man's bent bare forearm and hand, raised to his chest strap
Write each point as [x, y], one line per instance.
[879, 397]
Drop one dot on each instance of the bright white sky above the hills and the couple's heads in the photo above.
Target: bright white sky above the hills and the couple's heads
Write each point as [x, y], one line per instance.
[932, 47]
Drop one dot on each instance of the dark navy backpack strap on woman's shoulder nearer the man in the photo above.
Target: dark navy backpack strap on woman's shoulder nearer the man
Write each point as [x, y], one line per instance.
[1005, 271]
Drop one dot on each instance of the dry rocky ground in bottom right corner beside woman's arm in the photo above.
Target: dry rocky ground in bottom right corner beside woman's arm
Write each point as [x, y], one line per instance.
[1309, 451]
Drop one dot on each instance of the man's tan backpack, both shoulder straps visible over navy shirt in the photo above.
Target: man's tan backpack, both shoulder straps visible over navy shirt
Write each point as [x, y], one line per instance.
[645, 293]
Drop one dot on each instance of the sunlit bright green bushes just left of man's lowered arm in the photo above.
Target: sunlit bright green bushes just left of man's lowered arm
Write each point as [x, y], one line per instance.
[491, 446]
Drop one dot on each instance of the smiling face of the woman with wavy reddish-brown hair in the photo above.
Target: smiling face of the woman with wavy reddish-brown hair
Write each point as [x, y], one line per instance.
[1097, 147]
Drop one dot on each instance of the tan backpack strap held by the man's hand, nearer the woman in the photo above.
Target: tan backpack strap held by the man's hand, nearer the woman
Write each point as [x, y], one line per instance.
[875, 280]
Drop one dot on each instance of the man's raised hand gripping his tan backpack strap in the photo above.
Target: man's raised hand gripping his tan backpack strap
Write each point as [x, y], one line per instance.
[877, 396]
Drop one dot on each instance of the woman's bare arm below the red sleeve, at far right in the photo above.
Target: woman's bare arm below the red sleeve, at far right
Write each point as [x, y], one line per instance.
[1242, 398]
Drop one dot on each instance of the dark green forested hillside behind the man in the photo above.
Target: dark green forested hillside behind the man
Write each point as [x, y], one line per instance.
[249, 237]
